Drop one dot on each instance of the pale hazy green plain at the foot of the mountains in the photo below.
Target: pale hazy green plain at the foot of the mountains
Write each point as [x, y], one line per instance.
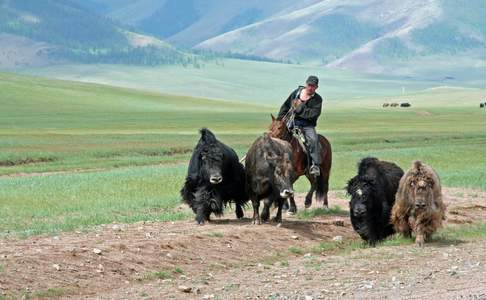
[247, 81]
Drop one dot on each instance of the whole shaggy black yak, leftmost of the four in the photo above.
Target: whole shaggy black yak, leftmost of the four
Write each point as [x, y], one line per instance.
[215, 177]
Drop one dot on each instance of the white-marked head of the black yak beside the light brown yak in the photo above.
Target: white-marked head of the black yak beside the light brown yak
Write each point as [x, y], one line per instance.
[361, 190]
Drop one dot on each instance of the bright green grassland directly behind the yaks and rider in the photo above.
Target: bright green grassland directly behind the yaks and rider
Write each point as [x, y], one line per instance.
[136, 146]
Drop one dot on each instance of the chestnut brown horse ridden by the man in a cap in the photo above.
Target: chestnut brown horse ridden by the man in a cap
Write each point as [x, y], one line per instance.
[319, 184]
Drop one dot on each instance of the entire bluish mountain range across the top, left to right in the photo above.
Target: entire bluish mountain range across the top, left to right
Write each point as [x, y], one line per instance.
[374, 36]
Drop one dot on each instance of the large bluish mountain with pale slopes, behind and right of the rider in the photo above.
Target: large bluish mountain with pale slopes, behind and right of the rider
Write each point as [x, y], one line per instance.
[363, 35]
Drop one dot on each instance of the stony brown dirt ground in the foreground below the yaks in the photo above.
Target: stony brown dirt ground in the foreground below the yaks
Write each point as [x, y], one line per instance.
[232, 259]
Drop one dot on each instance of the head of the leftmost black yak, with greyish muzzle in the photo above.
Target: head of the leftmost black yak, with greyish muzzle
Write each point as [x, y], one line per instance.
[211, 158]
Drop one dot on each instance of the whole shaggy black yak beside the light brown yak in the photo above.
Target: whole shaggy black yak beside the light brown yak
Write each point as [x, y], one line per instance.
[372, 194]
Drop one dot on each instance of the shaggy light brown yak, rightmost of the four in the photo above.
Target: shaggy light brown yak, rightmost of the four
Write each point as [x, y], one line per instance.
[418, 206]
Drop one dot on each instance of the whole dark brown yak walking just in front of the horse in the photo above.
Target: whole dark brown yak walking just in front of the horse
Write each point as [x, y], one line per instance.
[269, 175]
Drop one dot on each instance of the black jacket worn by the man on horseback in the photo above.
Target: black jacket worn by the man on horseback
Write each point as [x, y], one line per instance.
[307, 113]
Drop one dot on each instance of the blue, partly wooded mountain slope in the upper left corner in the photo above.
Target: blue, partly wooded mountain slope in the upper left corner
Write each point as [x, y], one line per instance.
[34, 33]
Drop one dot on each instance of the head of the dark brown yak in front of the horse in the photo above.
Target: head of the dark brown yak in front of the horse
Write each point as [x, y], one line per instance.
[277, 154]
